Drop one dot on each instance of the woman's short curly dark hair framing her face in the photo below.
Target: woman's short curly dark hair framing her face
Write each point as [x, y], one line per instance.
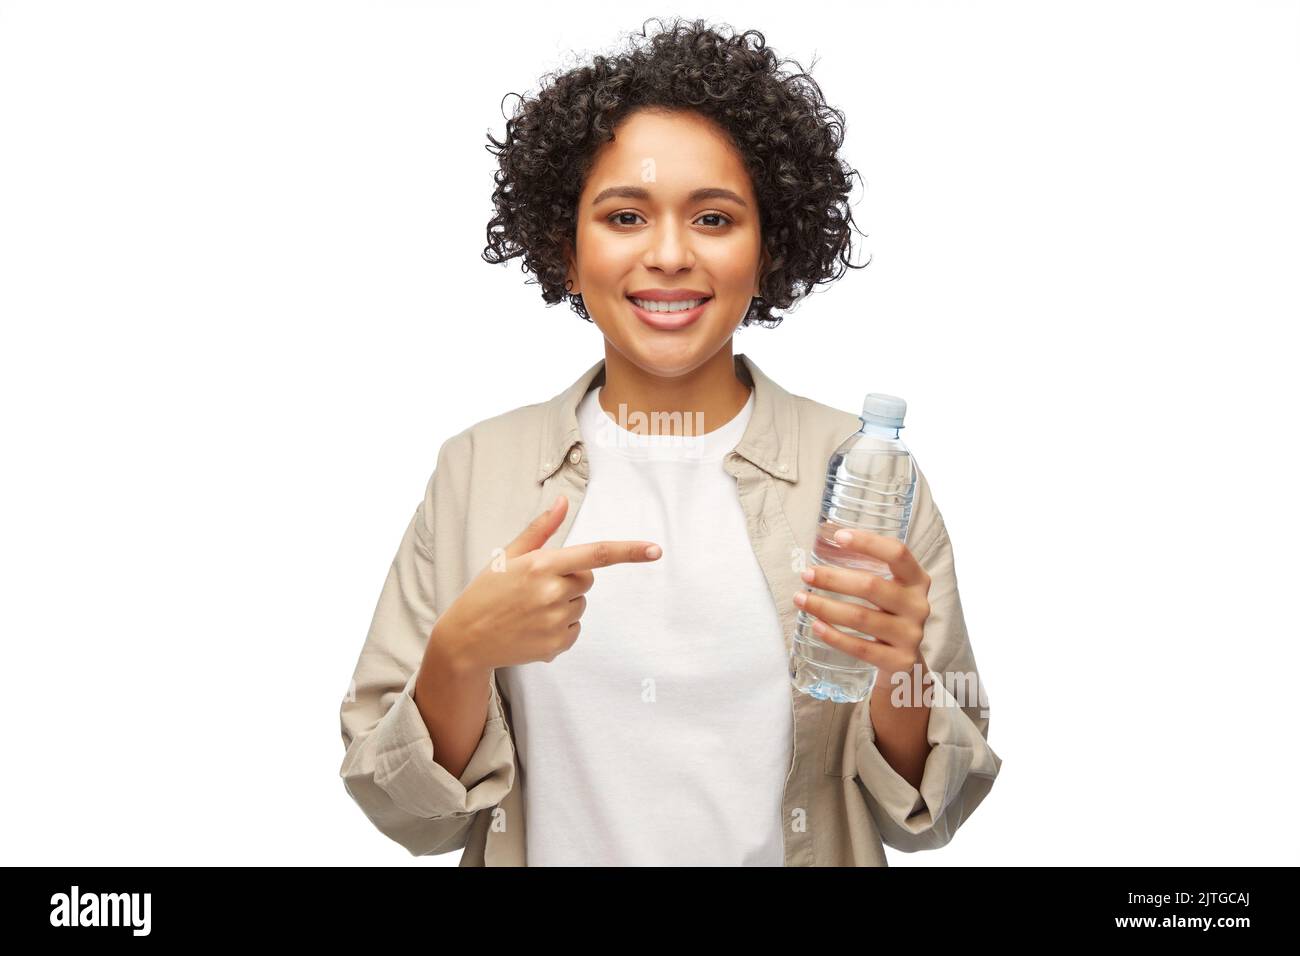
[778, 120]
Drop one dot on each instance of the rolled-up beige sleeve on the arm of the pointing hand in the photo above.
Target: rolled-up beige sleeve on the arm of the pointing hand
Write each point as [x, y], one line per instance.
[389, 767]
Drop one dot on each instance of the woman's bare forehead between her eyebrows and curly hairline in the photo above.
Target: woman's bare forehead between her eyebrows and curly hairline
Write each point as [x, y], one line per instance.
[666, 154]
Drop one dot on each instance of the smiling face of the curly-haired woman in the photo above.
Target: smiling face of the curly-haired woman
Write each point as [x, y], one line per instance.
[668, 209]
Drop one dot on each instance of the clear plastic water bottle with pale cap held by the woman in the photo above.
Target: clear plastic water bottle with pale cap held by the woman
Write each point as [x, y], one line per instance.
[870, 483]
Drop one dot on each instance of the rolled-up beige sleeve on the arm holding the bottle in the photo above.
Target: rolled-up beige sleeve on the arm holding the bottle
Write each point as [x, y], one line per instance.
[961, 767]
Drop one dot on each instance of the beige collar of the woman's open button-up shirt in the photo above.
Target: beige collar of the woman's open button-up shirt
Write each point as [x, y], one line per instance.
[770, 439]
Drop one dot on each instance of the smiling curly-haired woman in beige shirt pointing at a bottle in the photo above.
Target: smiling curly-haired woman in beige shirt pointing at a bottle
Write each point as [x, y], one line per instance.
[670, 194]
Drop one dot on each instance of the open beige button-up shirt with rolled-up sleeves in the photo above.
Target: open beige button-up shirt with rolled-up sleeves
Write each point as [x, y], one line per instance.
[843, 802]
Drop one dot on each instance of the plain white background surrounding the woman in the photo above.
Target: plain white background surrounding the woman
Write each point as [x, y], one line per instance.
[244, 305]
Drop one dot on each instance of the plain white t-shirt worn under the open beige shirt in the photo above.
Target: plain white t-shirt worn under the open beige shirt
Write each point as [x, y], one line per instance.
[664, 737]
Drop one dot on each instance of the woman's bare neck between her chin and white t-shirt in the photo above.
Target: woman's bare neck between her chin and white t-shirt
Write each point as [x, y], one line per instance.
[704, 399]
